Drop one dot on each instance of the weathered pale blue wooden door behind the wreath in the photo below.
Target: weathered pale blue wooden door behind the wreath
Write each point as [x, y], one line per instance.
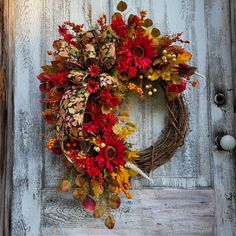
[194, 193]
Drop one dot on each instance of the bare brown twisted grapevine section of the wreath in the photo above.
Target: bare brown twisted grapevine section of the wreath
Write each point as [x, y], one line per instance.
[171, 138]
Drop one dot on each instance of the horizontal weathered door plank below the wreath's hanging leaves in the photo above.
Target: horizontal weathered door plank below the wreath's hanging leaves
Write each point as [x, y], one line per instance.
[151, 212]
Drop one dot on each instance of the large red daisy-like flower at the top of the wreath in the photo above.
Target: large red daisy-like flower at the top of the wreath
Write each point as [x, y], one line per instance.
[140, 51]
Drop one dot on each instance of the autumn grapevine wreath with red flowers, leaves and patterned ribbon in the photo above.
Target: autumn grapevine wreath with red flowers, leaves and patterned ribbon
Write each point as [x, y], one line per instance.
[86, 89]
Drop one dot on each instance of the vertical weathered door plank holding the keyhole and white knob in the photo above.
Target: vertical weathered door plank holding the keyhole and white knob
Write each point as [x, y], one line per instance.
[222, 118]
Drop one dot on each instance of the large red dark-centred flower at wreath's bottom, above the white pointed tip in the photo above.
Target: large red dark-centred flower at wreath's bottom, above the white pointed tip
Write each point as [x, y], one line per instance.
[113, 154]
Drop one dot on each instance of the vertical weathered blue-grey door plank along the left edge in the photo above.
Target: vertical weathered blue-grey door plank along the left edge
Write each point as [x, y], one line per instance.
[27, 121]
